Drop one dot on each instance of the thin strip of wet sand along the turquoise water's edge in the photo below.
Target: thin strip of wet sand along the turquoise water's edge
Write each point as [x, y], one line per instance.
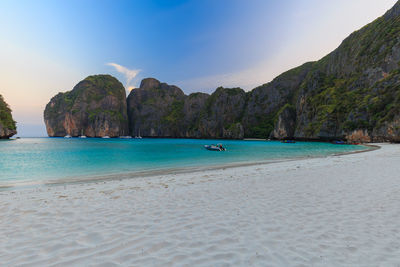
[170, 171]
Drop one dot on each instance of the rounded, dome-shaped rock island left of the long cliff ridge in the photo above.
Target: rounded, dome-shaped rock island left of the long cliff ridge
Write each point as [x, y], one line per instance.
[95, 107]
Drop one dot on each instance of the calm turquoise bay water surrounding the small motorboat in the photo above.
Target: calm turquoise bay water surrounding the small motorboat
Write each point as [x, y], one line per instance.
[40, 159]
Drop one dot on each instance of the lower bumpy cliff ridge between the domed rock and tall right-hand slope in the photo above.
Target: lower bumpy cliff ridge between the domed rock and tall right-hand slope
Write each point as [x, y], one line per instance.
[160, 110]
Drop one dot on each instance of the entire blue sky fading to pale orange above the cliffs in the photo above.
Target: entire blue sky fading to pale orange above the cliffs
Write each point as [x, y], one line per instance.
[49, 46]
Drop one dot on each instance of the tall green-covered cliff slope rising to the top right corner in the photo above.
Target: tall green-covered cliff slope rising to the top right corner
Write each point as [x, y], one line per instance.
[353, 93]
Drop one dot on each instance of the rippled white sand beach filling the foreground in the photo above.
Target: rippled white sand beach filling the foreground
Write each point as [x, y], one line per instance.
[333, 211]
